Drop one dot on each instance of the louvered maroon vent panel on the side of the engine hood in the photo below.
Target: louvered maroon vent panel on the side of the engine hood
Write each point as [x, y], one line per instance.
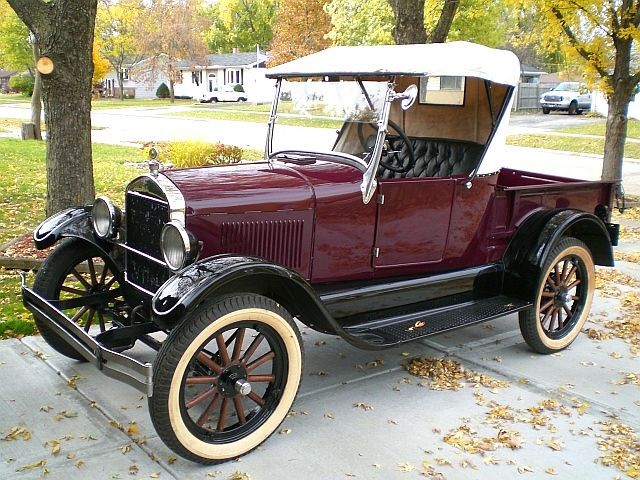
[279, 241]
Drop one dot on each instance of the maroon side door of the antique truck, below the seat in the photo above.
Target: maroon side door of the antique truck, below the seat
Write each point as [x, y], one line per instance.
[412, 221]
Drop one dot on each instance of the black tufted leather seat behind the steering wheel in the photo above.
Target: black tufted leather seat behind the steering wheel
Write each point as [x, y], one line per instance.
[434, 158]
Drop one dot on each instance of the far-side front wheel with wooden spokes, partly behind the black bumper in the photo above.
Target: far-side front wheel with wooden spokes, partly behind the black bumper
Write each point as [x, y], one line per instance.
[84, 282]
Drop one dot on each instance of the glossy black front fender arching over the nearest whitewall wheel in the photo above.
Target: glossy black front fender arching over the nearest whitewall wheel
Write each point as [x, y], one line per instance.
[223, 275]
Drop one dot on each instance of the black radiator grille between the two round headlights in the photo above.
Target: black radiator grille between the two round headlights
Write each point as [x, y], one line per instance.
[145, 218]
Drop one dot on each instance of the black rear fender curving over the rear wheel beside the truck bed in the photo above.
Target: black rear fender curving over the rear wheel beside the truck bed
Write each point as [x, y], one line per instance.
[537, 237]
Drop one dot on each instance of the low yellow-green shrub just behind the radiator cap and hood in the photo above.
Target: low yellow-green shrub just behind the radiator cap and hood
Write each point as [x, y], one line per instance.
[190, 153]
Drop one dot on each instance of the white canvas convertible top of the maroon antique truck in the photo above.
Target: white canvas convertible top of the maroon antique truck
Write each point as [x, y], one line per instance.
[463, 59]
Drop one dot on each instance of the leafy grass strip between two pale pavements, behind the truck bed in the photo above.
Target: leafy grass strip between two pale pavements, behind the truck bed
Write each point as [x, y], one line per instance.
[570, 144]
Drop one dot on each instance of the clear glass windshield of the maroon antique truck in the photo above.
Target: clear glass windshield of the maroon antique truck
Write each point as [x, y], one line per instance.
[316, 115]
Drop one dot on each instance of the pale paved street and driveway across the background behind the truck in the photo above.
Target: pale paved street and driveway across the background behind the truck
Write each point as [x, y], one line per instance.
[133, 126]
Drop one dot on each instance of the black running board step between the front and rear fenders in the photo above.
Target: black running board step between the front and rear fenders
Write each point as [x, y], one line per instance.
[403, 327]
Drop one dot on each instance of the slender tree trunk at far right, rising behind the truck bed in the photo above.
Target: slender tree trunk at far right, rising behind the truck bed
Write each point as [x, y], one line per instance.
[616, 134]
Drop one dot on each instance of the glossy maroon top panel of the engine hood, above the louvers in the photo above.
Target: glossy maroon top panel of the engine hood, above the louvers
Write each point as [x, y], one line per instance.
[242, 188]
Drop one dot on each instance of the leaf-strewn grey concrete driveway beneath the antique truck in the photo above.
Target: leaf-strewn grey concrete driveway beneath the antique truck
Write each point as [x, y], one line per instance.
[359, 414]
